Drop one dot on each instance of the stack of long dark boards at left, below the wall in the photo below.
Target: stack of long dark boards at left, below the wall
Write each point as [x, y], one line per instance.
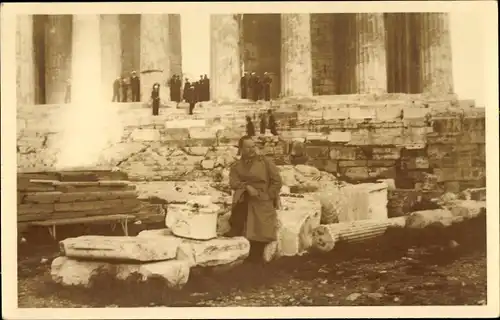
[73, 194]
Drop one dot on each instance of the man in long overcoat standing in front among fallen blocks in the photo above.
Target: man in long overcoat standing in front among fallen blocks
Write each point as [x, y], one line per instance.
[256, 182]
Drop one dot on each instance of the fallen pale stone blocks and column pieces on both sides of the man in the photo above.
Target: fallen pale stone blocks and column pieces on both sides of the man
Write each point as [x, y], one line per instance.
[196, 218]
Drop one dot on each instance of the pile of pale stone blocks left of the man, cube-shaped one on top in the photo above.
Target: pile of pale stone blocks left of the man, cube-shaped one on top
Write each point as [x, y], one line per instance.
[190, 240]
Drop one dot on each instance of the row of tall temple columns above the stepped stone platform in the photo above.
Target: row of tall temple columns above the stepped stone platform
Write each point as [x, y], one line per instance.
[306, 54]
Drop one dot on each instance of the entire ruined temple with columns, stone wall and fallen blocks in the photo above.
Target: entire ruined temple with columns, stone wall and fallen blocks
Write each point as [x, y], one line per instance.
[369, 127]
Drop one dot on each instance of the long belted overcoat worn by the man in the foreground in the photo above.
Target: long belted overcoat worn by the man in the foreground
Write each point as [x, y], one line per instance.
[262, 174]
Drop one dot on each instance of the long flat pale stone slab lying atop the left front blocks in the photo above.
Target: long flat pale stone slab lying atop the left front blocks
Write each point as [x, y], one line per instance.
[118, 248]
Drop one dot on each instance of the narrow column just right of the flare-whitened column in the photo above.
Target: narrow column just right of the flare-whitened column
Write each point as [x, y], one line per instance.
[111, 52]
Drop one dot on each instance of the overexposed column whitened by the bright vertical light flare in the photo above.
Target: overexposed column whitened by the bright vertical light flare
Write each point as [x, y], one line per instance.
[86, 85]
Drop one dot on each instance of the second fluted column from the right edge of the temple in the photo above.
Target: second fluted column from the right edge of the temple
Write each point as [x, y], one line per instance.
[370, 54]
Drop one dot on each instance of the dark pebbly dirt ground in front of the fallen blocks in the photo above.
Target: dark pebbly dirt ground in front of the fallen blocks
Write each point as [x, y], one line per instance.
[400, 268]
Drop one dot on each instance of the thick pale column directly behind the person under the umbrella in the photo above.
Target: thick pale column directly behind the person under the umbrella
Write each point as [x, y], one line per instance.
[155, 55]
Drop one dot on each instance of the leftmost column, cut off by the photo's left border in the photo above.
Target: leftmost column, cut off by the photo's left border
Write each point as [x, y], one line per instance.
[25, 60]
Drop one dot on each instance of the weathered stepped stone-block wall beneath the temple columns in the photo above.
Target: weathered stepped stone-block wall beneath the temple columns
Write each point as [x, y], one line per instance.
[351, 136]
